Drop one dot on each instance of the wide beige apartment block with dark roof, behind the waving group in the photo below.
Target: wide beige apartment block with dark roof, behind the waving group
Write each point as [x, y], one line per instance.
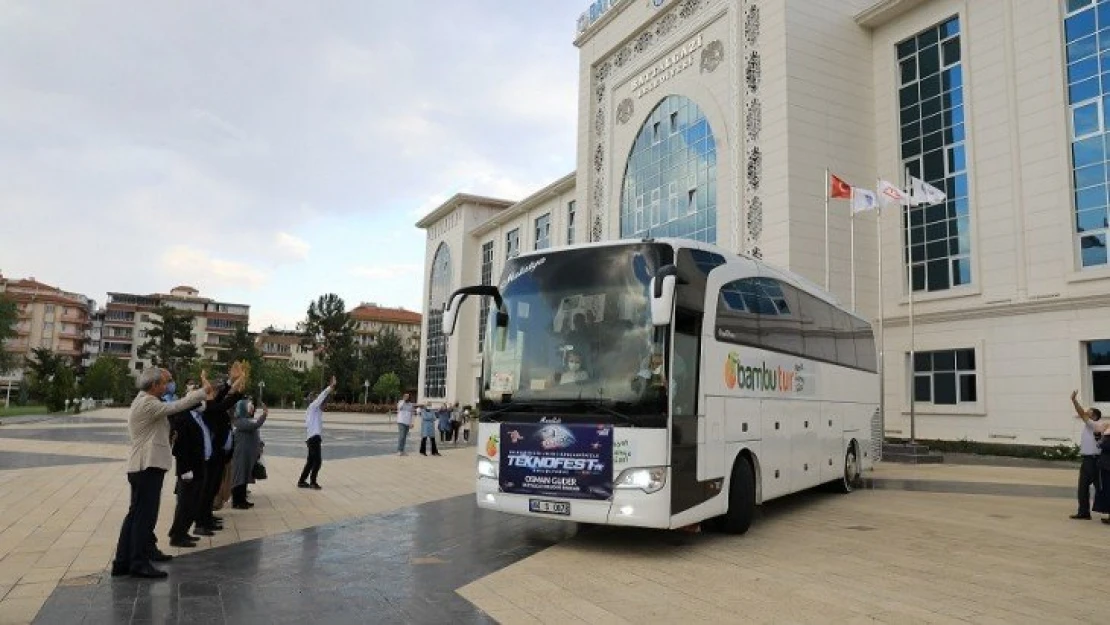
[128, 320]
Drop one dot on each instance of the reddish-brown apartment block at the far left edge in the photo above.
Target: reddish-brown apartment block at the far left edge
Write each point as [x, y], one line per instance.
[49, 318]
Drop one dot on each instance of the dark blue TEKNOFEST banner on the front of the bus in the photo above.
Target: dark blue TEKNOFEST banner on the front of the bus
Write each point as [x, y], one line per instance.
[558, 461]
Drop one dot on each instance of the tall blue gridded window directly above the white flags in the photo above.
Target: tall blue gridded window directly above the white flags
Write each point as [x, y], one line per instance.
[939, 246]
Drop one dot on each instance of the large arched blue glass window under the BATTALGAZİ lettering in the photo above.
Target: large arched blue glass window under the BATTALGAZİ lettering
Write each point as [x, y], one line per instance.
[671, 178]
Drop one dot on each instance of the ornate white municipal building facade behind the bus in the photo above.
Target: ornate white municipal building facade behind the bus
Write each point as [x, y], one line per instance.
[715, 120]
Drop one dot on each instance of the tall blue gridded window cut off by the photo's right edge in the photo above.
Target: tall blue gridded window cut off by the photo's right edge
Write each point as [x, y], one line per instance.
[1087, 34]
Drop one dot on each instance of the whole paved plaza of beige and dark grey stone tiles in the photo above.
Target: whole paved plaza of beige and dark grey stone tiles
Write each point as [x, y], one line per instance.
[399, 540]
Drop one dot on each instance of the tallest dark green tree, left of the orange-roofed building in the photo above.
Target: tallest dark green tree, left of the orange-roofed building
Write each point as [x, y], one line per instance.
[330, 330]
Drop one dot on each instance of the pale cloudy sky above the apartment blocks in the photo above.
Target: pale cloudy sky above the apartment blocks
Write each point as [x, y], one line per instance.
[269, 153]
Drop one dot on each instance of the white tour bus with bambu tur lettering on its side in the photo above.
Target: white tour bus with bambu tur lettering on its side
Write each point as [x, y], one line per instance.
[665, 382]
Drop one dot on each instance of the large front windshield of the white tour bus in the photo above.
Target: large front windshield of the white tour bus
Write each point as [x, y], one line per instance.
[580, 329]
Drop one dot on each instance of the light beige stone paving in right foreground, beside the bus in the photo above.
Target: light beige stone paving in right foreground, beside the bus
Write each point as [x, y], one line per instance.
[871, 557]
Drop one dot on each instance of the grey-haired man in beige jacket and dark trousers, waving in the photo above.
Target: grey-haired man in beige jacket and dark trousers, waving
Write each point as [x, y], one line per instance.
[150, 459]
